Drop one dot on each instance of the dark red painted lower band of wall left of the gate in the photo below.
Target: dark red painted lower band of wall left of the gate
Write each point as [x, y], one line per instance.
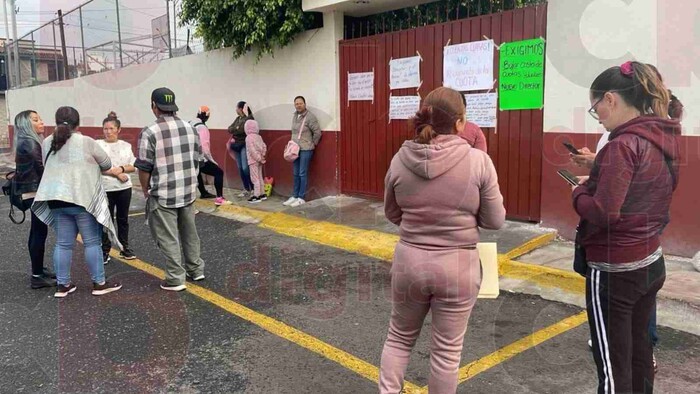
[323, 177]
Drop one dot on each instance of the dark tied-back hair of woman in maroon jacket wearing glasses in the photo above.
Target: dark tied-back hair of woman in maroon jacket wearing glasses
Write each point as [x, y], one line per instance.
[638, 84]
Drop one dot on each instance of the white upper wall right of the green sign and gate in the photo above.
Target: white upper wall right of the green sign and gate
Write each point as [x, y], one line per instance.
[584, 37]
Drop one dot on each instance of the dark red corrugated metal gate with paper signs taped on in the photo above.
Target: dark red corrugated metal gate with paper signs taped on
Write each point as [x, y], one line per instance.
[369, 141]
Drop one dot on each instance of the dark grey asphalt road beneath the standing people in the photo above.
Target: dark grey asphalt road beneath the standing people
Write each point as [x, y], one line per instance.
[142, 339]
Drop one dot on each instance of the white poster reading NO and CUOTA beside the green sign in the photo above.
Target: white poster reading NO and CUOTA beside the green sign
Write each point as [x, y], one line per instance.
[468, 66]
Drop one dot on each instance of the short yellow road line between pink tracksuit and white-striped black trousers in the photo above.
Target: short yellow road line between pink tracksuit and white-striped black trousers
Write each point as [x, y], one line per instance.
[505, 353]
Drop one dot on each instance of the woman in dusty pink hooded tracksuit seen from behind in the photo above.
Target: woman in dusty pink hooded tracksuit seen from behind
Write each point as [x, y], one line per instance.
[439, 190]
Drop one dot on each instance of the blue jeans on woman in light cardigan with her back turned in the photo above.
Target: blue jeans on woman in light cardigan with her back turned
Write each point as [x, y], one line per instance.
[68, 223]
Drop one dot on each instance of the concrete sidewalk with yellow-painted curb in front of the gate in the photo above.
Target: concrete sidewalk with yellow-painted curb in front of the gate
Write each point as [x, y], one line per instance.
[532, 259]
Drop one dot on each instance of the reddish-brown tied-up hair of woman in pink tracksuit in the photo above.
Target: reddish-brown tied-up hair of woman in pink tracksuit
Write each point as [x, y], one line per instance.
[441, 109]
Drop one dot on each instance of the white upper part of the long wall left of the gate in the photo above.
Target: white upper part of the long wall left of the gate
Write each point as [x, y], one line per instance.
[308, 67]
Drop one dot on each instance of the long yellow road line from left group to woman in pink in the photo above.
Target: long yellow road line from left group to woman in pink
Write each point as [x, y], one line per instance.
[273, 326]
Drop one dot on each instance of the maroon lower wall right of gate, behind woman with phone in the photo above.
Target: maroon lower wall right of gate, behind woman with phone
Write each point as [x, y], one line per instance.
[681, 237]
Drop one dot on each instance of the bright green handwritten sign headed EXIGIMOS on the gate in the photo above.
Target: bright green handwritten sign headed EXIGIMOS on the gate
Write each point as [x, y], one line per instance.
[521, 80]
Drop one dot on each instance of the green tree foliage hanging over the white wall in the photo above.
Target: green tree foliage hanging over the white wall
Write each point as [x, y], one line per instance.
[246, 24]
